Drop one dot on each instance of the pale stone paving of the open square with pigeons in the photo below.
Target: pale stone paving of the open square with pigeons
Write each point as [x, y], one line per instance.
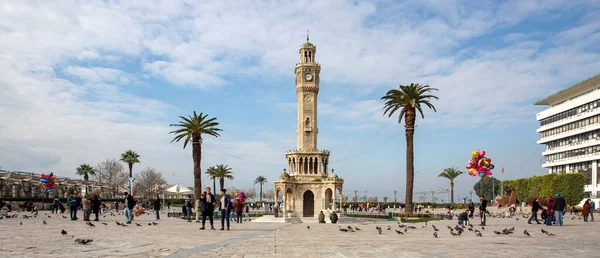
[178, 238]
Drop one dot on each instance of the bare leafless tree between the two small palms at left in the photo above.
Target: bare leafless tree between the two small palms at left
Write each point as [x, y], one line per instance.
[111, 172]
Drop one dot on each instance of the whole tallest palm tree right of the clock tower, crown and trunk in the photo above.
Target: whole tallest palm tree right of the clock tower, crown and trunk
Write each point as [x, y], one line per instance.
[408, 100]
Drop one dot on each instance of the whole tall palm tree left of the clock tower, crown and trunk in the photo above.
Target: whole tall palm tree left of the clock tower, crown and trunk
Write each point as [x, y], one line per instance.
[191, 129]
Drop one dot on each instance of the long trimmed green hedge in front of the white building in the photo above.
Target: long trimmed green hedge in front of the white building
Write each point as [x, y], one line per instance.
[570, 185]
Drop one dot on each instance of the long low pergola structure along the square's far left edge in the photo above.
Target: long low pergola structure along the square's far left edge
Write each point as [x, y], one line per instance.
[17, 184]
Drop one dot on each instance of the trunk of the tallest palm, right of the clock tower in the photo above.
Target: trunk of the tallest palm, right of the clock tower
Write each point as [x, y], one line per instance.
[410, 159]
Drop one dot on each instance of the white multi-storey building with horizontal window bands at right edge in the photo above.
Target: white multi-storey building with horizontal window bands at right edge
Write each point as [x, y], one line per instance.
[570, 130]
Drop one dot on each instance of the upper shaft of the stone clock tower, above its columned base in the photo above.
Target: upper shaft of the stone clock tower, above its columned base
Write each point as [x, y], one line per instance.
[307, 87]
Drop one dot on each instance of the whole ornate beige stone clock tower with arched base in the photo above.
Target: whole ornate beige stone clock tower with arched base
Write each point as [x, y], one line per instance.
[306, 186]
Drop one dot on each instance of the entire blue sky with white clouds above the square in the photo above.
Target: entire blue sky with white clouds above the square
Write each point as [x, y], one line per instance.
[84, 82]
